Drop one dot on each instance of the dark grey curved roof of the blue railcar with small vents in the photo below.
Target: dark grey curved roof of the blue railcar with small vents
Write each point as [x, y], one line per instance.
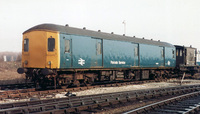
[95, 34]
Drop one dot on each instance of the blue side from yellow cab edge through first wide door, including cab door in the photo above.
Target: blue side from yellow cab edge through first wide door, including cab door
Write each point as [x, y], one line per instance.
[82, 52]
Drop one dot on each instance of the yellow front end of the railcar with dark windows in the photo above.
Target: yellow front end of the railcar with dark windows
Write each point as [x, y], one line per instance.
[40, 49]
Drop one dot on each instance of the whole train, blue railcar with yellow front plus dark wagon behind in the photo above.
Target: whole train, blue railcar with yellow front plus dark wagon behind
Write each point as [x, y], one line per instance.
[60, 56]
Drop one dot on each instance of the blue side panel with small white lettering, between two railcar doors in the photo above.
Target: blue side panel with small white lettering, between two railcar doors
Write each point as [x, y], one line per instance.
[117, 54]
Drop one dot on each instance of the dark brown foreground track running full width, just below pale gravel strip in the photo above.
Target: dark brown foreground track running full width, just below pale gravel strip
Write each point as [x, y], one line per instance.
[94, 103]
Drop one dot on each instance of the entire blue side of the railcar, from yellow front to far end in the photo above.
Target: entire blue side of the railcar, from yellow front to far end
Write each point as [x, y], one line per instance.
[115, 54]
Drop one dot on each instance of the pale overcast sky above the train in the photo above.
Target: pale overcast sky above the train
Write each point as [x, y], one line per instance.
[172, 21]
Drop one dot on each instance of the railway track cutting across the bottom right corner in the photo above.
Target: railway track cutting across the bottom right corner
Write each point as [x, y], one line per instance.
[184, 104]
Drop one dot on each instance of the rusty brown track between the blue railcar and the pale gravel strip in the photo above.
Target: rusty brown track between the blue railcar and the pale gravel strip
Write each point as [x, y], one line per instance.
[26, 93]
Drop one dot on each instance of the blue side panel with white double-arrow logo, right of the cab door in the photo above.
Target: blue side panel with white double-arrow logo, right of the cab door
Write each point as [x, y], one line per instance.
[85, 48]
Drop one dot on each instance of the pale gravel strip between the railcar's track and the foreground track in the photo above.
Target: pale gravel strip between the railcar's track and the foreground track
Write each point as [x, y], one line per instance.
[170, 83]
